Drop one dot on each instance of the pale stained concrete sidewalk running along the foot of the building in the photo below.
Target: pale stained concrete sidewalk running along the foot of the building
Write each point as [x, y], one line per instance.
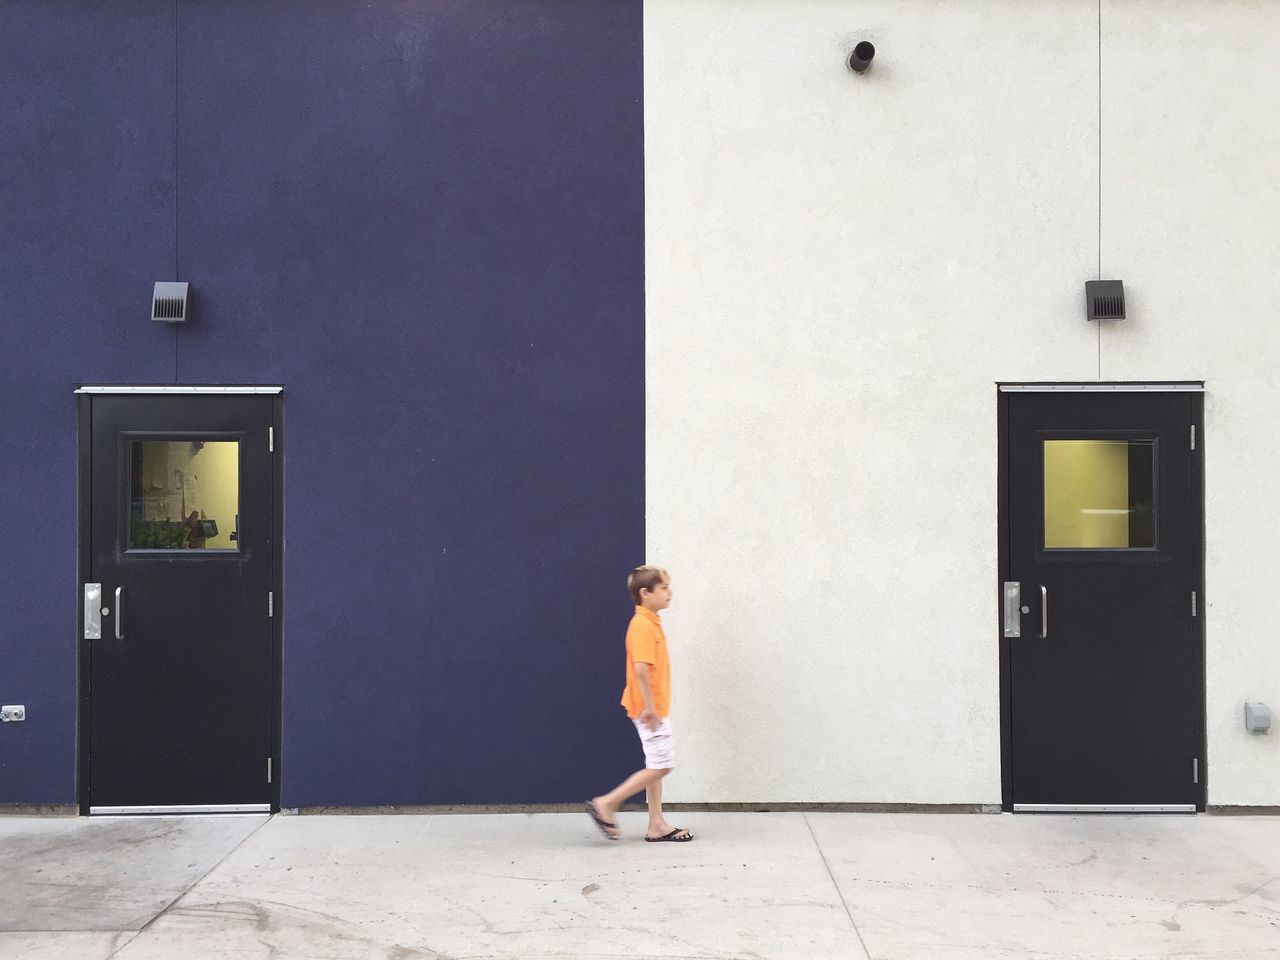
[779, 886]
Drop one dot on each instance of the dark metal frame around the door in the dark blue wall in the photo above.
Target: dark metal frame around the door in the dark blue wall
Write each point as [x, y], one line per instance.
[84, 486]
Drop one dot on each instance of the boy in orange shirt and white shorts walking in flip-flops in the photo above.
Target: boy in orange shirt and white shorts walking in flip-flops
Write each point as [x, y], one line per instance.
[648, 703]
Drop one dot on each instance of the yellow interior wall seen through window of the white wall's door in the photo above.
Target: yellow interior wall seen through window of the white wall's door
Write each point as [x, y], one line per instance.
[1086, 476]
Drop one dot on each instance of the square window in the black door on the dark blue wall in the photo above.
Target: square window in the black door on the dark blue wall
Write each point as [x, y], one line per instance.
[185, 495]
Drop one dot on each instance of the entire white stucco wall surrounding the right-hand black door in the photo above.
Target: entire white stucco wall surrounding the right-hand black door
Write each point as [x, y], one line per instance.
[842, 268]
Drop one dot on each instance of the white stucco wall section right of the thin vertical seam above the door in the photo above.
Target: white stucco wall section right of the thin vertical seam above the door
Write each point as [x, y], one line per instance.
[1191, 220]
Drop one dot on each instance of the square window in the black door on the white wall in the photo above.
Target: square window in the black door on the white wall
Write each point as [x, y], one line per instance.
[1100, 495]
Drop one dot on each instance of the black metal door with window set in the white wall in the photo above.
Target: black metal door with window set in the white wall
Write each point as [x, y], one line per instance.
[1103, 600]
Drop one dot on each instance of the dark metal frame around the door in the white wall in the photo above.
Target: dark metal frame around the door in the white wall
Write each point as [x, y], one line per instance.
[1004, 488]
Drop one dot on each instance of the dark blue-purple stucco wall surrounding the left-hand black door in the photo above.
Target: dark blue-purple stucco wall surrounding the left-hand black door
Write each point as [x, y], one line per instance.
[427, 221]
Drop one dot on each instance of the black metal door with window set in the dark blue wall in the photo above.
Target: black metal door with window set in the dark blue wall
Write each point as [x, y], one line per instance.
[181, 673]
